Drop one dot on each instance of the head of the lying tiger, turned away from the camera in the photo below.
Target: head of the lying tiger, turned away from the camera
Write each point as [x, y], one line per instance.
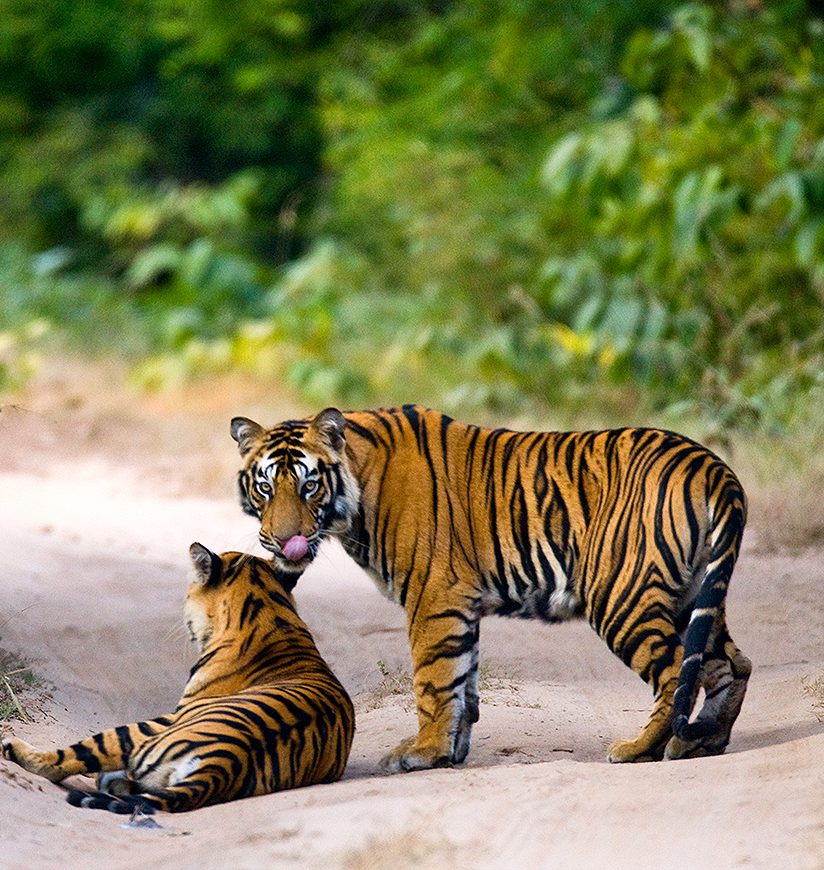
[229, 591]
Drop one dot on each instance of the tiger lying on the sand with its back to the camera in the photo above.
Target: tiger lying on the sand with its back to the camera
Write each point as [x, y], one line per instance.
[261, 711]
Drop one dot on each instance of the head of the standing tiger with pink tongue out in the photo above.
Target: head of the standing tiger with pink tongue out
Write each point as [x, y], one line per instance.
[296, 479]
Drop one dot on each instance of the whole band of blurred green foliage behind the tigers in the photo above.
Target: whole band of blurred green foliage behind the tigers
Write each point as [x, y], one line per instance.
[495, 205]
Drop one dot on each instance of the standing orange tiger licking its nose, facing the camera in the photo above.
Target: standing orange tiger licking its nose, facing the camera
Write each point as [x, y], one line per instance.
[638, 530]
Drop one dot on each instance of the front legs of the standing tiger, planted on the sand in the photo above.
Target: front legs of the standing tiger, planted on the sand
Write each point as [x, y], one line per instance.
[445, 661]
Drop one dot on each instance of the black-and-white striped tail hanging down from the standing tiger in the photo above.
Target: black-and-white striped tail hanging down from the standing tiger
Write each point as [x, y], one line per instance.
[728, 514]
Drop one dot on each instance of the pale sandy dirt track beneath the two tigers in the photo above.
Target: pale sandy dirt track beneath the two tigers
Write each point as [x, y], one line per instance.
[93, 542]
